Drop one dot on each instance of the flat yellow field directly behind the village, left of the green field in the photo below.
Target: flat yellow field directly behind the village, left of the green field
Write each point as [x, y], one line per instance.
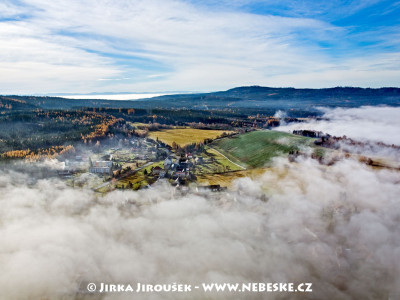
[186, 136]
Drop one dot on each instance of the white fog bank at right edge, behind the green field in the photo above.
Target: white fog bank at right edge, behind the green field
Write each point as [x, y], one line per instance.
[370, 125]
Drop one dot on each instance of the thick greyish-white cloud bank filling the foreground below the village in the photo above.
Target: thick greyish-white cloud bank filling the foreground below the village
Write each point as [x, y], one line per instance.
[337, 227]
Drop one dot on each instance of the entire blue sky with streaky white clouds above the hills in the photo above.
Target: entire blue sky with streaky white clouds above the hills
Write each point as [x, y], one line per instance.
[83, 46]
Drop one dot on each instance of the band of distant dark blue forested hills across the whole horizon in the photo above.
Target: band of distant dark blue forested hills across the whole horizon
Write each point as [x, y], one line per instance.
[240, 98]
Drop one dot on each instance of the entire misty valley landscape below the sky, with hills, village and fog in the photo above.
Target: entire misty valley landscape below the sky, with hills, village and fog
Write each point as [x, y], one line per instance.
[251, 185]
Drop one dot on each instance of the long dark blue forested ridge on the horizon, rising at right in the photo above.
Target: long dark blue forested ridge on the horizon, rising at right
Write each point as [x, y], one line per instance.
[284, 98]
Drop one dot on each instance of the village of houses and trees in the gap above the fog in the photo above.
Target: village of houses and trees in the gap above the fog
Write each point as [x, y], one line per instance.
[137, 163]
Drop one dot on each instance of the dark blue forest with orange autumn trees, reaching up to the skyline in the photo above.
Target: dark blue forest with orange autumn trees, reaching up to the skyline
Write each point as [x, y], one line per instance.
[31, 125]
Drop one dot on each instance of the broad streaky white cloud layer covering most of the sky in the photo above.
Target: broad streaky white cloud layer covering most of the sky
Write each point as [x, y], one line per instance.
[197, 49]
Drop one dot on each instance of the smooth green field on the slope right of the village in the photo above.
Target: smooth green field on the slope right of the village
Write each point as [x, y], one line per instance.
[257, 148]
